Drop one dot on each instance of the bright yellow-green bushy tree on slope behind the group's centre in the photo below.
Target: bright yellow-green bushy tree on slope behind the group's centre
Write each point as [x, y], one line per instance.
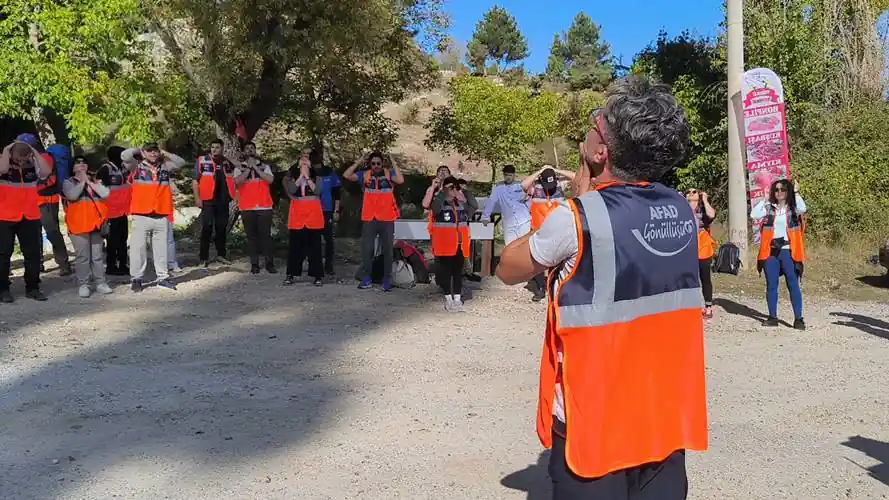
[491, 122]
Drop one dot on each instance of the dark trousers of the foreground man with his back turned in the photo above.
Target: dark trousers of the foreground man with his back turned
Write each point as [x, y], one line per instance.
[664, 480]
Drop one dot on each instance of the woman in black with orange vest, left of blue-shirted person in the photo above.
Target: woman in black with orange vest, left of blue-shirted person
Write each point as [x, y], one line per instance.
[305, 222]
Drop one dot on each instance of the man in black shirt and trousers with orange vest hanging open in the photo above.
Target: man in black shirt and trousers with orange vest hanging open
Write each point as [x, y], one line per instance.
[214, 189]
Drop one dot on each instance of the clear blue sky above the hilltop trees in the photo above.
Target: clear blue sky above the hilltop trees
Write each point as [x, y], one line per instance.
[627, 25]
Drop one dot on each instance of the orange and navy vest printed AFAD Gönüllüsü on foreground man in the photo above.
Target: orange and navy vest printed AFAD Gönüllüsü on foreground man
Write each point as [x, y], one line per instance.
[627, 323]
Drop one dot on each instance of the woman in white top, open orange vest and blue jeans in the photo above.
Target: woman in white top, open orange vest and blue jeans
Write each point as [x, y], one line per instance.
[782, 248]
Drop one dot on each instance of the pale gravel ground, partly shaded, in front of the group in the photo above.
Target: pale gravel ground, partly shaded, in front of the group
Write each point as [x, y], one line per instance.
[235, 387]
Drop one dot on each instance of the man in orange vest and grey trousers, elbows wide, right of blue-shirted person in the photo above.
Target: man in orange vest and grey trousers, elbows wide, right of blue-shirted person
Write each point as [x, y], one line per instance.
[378, 213]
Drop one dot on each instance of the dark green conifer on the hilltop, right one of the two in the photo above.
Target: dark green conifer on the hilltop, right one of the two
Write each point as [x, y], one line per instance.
[579, 58]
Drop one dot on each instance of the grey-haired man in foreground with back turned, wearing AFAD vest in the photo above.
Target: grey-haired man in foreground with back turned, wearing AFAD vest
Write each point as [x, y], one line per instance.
[622, 393]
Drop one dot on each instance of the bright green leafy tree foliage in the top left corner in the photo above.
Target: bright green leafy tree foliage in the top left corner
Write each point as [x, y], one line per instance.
[80, 69]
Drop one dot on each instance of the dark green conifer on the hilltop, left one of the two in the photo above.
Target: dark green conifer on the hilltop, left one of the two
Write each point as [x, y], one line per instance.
[496, 38]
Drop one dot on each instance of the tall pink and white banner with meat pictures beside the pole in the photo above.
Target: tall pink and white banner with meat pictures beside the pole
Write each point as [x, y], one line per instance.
[765, 134]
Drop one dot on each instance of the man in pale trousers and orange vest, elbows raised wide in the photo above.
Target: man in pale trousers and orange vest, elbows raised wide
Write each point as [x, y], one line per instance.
[151, 206]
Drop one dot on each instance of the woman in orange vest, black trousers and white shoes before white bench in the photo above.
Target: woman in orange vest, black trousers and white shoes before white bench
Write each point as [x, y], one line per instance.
[449, 216]
